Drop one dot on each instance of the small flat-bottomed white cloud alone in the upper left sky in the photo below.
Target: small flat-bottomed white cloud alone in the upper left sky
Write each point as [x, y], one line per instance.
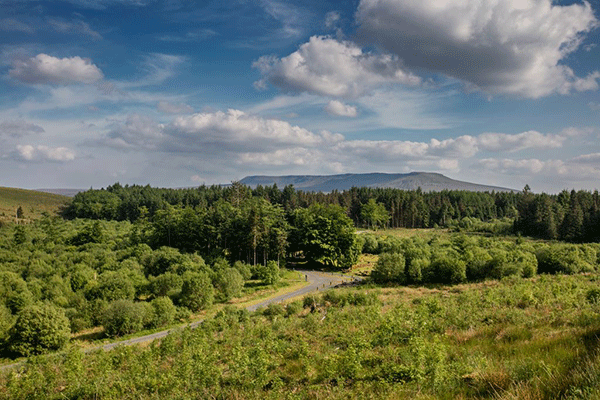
[44, 69]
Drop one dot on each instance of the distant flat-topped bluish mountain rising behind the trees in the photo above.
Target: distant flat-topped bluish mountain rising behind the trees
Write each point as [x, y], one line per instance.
[427, 181]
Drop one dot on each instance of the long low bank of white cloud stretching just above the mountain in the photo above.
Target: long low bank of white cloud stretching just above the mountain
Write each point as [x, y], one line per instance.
[246, 139]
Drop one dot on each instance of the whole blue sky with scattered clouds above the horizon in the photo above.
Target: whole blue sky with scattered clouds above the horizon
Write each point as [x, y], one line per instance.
[179, 93]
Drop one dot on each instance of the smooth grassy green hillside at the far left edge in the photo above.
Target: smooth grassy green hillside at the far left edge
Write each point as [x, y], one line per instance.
[32, 202]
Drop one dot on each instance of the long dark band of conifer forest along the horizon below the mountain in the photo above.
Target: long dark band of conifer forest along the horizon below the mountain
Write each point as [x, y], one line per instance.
[569, 216]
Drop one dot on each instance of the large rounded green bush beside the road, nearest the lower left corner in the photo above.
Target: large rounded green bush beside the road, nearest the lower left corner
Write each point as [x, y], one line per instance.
[39, 328]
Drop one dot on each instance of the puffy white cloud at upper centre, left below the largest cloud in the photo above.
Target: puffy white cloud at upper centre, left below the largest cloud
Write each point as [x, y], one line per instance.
[331, 67]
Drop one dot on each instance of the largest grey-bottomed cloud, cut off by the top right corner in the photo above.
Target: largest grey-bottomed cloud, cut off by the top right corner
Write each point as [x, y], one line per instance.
[499, 46]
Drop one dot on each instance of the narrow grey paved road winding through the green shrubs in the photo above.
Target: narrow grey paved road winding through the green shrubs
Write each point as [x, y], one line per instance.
[317, 281]
